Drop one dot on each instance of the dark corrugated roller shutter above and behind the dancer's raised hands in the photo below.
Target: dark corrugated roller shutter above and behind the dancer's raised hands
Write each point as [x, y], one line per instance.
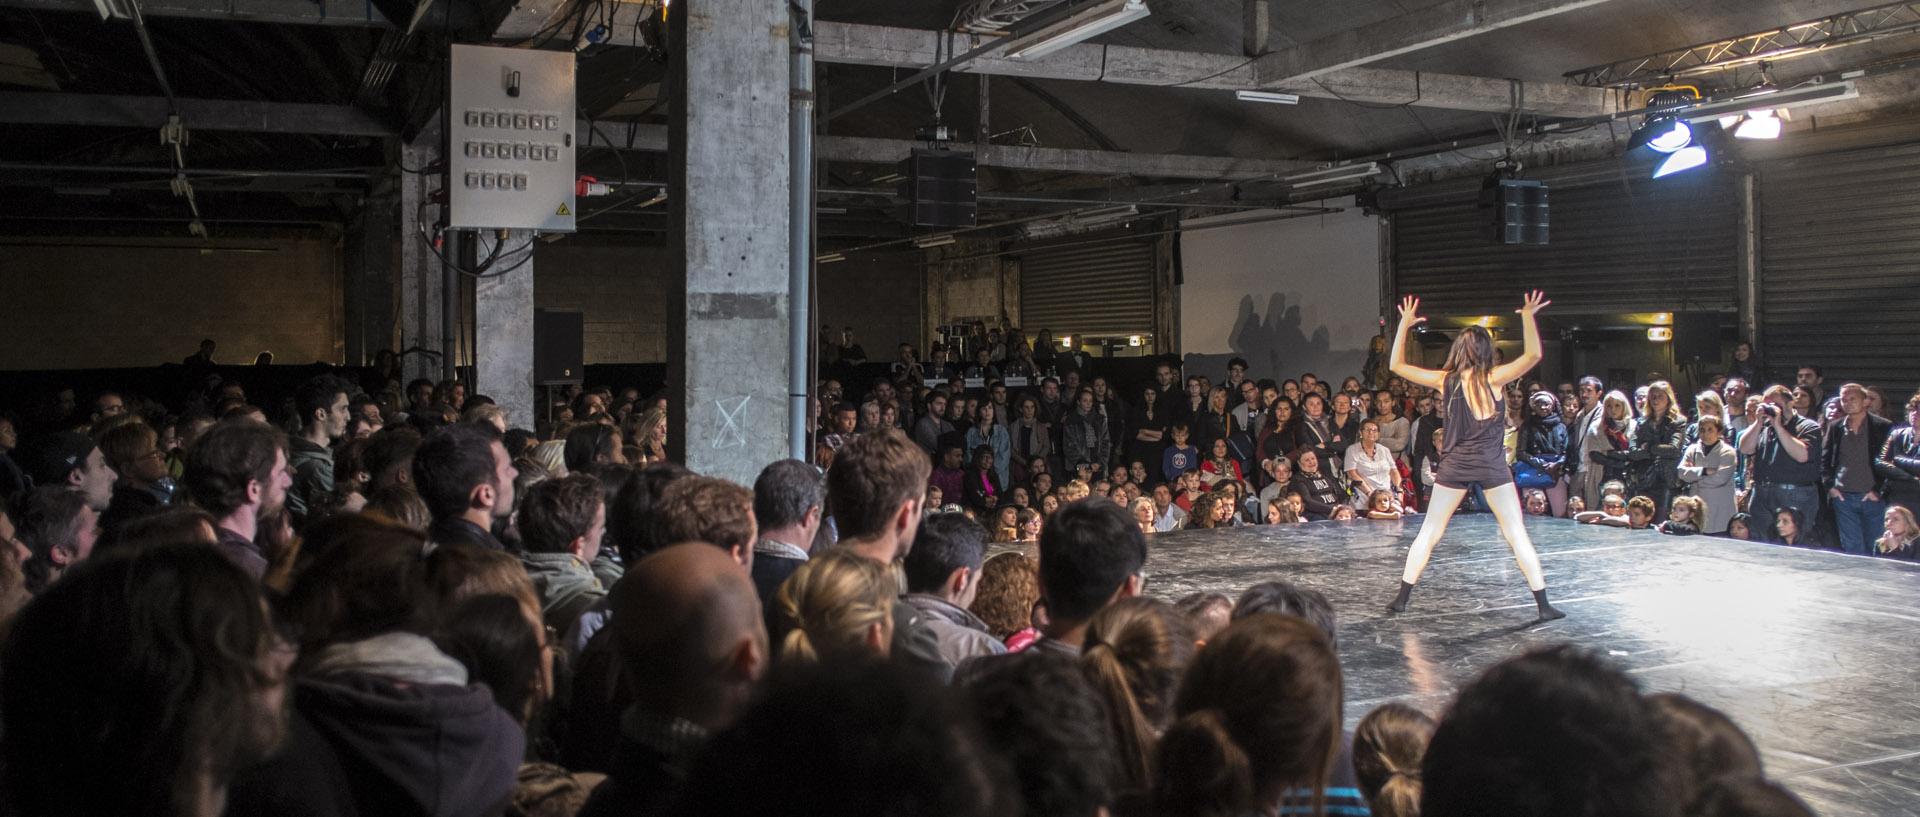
[1618, 246]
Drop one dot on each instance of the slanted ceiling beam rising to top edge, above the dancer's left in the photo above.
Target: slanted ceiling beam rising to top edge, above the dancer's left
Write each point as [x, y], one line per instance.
[1403, 34]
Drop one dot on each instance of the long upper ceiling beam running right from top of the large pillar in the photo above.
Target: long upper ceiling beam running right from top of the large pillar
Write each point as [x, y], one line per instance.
[873, 45]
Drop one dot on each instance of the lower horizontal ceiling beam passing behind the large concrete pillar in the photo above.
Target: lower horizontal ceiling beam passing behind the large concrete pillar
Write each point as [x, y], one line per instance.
[865, 151]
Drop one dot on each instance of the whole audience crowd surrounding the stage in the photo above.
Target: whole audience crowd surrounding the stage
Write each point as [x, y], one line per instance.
[381, 601]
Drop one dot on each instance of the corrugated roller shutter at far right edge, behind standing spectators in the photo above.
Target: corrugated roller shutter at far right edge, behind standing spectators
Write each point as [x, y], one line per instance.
[1840, 266]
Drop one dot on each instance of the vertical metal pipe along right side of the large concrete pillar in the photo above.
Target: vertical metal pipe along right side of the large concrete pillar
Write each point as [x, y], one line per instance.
[800, 225]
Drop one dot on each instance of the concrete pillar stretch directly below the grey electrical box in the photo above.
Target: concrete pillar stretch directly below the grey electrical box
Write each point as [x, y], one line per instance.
[504, 335]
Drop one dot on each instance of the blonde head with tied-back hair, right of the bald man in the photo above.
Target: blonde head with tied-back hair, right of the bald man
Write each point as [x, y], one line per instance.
[836, 605]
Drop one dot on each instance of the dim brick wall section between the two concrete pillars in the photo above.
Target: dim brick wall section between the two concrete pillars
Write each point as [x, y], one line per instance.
[619, 289]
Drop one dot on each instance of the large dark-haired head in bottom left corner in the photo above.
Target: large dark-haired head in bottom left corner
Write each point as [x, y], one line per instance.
[139, 688]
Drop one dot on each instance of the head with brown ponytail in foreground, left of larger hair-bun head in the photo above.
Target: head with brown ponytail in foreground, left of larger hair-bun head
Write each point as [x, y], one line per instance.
[1136, 653]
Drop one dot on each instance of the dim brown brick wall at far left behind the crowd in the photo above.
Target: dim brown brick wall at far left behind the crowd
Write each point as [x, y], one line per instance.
[105, 304]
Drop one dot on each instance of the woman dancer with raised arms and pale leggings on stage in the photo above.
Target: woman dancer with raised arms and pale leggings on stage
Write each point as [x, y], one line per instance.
[1472, 446]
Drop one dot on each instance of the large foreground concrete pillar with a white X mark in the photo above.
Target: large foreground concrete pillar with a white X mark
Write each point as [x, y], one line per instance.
[731, 166]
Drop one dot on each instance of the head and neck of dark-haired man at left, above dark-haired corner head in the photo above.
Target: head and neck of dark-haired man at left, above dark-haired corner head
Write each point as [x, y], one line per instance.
[239, 475]
